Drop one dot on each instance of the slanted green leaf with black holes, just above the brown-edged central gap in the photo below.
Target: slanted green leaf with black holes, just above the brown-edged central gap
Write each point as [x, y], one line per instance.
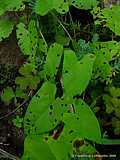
[51, 117]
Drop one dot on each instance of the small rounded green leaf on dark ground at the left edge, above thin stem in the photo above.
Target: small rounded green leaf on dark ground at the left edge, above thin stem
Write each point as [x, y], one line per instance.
[7, 95]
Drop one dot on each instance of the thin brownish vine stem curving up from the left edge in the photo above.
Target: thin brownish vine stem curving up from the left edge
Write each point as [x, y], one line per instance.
[15, 110]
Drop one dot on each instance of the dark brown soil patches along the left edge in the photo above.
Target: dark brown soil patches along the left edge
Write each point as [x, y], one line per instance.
[11, 138]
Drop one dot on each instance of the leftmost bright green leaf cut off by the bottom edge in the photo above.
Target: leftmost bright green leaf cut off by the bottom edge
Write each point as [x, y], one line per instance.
[37, 148]
